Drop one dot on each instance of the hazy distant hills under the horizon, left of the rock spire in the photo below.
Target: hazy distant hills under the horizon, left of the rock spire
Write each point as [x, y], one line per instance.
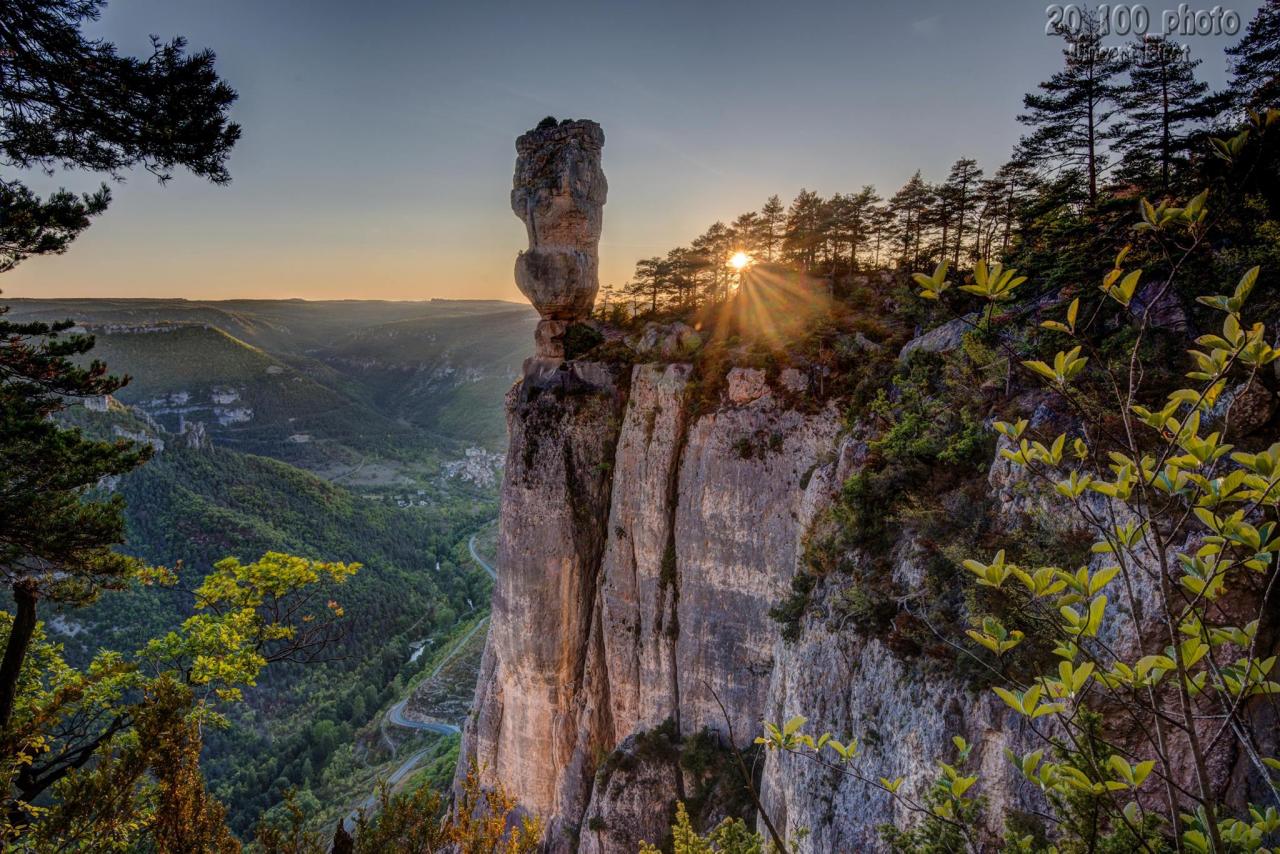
[373, 394]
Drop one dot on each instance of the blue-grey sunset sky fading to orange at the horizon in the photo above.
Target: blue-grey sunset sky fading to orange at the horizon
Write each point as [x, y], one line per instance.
[380, 136]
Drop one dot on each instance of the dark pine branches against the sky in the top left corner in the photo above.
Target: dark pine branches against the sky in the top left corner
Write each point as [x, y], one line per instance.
[71, 102]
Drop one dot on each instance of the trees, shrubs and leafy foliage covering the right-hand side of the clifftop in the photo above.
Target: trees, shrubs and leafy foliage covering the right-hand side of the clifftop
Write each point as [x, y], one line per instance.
[1114, 346]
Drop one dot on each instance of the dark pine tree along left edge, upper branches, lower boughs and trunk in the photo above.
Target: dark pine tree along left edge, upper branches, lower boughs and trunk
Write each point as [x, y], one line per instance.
[71, 102]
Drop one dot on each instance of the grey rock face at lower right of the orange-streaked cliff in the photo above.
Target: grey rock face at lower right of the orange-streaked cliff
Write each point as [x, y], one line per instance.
[904, 718]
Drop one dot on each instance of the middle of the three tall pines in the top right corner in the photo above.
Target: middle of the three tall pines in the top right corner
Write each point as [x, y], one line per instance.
[1163, 106]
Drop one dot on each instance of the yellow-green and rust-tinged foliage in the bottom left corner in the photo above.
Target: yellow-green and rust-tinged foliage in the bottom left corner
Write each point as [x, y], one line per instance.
[111, 755]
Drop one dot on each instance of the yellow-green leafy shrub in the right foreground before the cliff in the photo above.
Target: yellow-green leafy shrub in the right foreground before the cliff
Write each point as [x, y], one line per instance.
[1167, 497]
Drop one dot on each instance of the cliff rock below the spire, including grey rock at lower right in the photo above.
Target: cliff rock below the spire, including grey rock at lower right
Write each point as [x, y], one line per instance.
[648, 527]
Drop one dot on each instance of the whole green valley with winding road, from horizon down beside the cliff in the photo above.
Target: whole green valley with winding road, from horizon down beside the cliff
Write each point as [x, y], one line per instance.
[355, 432]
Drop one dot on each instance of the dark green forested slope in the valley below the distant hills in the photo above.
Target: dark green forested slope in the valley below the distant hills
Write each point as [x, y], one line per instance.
[191, 506]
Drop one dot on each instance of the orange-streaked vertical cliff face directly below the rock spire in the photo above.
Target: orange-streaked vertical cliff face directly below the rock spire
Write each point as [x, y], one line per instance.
[643, 546]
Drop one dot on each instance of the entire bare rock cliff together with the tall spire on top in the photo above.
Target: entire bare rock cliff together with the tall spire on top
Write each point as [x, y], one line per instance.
[653, 517]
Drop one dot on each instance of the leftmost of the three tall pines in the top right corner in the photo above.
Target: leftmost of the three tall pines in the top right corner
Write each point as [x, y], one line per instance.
[1072, 115]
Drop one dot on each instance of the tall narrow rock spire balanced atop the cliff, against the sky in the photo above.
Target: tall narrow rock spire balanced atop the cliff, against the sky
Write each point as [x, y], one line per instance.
[560, 191]
